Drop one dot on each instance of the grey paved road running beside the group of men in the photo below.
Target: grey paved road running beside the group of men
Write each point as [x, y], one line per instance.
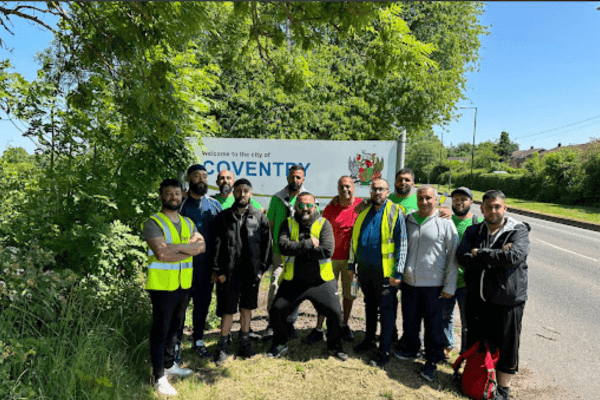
[560, 343]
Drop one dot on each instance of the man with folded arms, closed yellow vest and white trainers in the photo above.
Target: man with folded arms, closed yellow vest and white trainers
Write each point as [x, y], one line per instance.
[173, 241]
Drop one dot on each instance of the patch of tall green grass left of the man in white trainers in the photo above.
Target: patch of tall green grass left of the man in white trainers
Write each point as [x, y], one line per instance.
[61, 342]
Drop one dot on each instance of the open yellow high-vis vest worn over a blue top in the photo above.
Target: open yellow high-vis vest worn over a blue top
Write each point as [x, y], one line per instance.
[388, 247]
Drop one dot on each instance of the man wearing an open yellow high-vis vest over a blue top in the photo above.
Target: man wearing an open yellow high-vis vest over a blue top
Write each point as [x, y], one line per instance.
[379, 249]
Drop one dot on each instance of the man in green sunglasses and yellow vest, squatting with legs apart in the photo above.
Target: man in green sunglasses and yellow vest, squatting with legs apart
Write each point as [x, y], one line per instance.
[306, 242]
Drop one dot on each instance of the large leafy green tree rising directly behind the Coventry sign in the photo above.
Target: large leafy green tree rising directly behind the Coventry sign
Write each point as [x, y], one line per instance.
[331, 85]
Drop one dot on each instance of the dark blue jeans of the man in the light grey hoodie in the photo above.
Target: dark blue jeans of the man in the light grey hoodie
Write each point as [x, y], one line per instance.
[423, 304]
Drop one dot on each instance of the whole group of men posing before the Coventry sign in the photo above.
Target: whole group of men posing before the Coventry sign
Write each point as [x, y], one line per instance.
[390, 242]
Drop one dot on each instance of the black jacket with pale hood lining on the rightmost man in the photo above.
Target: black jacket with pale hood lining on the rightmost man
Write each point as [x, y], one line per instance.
[496, 275]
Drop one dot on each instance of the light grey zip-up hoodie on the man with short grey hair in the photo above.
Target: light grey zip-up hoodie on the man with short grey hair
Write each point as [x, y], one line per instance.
[431, 258]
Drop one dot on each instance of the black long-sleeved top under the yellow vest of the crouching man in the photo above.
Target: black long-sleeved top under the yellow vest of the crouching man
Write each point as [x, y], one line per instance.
[306, 256]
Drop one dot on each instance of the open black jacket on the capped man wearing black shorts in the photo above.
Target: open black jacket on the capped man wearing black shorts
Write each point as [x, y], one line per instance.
[229, 241]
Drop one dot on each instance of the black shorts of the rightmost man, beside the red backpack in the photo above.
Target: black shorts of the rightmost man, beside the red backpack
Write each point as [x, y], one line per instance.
[502, 327]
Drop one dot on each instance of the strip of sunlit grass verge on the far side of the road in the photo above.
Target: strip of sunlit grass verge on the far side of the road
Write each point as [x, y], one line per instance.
[574, 212]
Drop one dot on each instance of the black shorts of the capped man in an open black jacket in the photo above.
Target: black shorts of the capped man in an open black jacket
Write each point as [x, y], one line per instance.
[237, 290]
